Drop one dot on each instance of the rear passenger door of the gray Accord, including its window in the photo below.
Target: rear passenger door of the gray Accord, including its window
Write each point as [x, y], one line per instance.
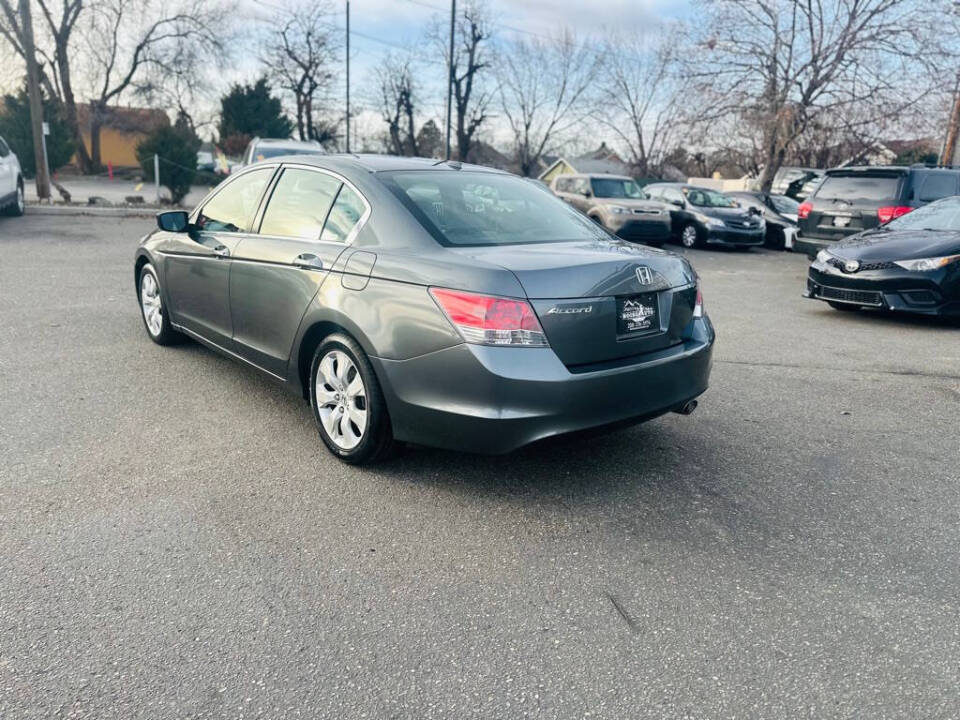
[311, 216]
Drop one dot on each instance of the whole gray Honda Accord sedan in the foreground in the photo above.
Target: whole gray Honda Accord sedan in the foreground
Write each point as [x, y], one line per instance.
[427, 302]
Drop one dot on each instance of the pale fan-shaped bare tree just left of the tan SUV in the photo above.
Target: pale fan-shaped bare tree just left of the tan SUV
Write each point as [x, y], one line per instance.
[543, 86]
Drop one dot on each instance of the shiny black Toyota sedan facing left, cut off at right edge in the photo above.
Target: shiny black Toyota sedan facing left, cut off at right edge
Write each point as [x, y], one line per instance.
[911, 264]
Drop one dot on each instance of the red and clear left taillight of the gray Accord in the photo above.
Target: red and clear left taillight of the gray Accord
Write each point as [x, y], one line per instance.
[488, 320]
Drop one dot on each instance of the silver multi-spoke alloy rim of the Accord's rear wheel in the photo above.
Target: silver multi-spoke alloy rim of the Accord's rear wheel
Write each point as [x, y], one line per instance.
[341, 400]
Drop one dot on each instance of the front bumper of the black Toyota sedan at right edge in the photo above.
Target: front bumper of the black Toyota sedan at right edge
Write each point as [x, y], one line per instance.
[936, 293]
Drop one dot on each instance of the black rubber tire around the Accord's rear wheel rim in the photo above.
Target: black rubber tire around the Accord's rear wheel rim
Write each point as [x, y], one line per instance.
[376, 442]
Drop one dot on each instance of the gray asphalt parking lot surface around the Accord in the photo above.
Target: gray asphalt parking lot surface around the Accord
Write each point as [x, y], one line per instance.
[175, 541]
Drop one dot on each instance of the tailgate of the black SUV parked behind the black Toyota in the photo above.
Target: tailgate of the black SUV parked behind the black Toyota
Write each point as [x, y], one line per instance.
[846, 202]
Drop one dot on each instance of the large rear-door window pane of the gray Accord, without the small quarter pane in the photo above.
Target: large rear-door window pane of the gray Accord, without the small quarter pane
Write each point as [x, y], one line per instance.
[299, 204]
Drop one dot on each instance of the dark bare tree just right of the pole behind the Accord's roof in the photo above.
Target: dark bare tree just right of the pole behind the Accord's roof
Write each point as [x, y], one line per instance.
[470, 70]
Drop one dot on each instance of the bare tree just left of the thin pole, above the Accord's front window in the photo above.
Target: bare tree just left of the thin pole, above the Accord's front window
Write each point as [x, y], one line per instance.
[300, 52]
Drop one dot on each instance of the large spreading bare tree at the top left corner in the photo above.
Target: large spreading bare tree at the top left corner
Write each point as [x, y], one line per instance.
[119, 47]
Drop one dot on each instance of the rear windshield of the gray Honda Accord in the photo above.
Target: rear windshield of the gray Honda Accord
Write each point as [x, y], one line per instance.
[477, 208]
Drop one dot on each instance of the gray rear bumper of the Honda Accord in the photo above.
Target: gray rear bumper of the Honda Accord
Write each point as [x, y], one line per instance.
[494, 400]
